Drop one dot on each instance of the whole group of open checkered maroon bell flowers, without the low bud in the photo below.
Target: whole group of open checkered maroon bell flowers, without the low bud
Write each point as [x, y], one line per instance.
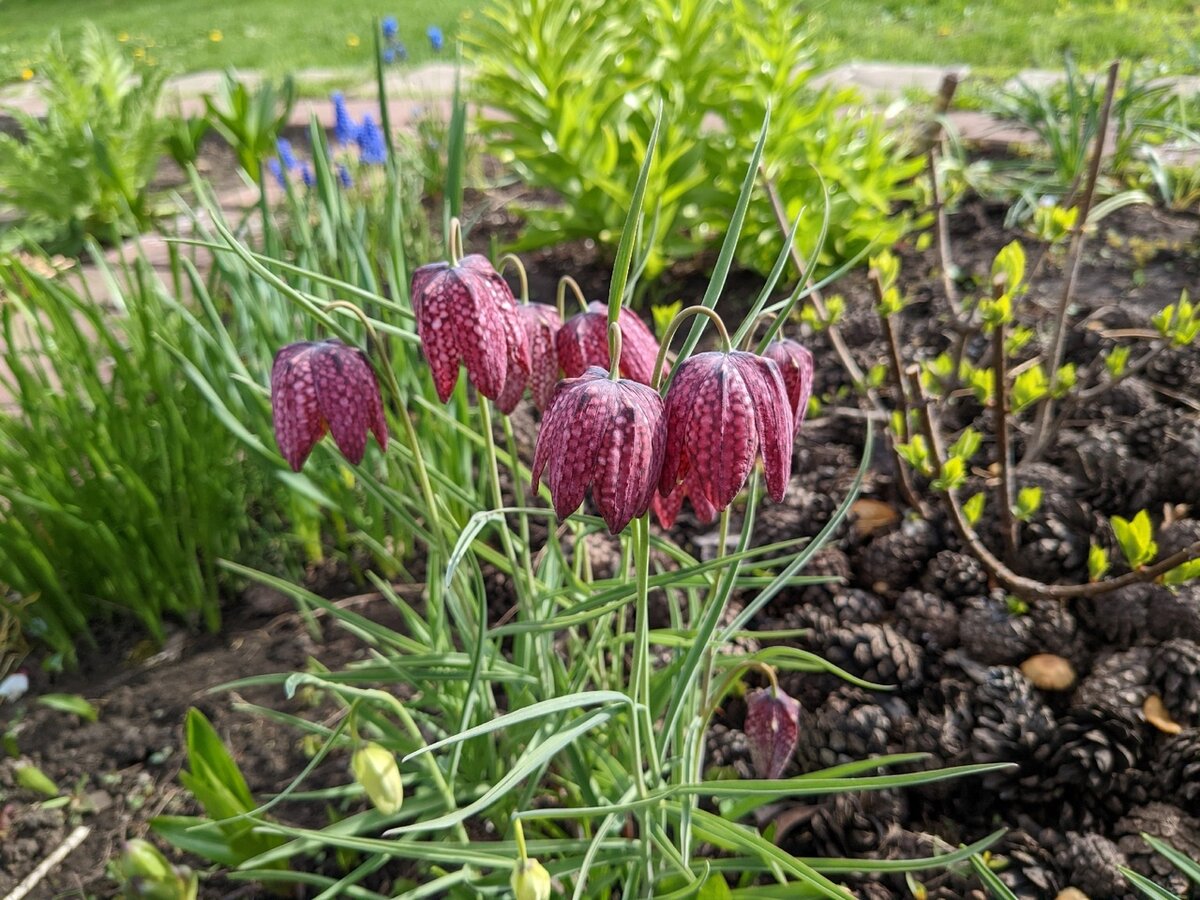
[607, 429]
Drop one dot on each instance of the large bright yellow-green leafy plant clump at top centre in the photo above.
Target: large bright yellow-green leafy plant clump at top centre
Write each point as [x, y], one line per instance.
[575, 93]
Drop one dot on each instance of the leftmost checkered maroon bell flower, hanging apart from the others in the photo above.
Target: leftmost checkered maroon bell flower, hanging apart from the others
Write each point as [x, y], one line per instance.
[325, 387]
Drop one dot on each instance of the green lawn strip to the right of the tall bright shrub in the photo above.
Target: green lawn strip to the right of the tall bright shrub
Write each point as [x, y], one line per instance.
[1003, 37]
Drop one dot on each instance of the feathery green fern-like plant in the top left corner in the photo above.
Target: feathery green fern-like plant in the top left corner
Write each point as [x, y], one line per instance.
[85, 170]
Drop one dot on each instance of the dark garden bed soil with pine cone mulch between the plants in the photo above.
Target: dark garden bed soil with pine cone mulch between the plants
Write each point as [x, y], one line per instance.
[914, 611]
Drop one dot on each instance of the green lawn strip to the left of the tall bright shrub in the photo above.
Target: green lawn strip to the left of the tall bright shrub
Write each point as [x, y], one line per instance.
[273, 35]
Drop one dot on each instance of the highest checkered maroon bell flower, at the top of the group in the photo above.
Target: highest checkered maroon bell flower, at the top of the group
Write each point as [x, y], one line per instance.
[466, 314]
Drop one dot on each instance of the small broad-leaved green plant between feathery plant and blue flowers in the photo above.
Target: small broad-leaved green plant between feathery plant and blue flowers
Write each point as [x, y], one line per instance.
[251, 119]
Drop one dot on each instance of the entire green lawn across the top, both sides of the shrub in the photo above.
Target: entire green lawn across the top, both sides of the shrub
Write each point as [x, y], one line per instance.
[995, 37]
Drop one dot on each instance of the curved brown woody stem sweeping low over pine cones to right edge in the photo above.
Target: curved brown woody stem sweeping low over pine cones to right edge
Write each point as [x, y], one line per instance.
[1003, 574]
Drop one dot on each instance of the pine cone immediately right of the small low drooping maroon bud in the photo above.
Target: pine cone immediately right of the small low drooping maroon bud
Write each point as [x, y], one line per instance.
[853, 727]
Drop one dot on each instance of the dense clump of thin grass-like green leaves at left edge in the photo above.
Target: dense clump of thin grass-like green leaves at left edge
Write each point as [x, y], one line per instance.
[122, 489]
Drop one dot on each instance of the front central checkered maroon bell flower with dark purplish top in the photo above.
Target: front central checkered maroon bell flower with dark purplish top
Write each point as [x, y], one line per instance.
[605, 435]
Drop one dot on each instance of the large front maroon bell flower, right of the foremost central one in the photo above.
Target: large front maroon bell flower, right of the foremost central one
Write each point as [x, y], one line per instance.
[724, 411]
